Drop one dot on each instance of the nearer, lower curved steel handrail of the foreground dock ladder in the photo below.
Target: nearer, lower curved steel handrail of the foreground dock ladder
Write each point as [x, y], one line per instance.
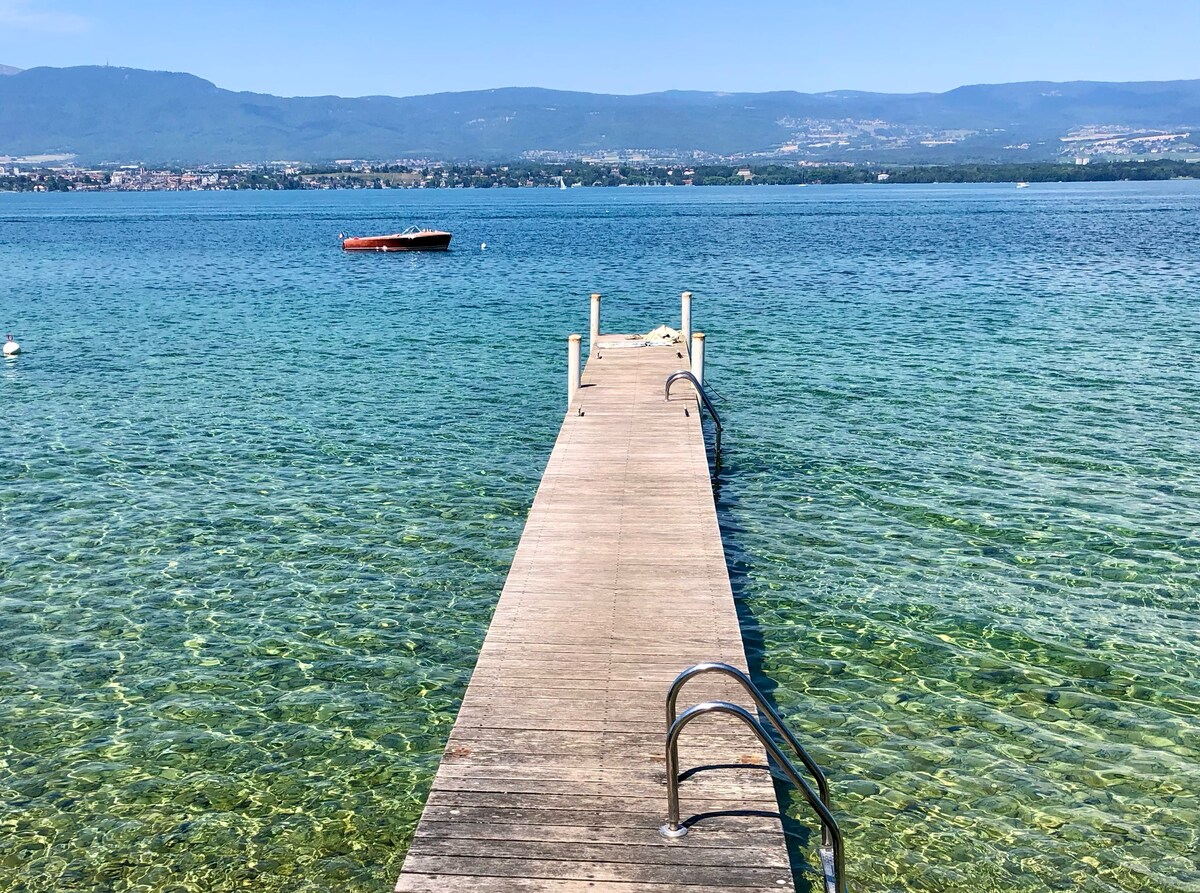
[833, 861]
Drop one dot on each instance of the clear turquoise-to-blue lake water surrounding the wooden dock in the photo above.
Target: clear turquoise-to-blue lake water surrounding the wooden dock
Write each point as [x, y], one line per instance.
[259, 499]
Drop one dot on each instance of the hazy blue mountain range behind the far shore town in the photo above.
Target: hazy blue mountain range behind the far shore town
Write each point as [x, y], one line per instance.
[127, 115]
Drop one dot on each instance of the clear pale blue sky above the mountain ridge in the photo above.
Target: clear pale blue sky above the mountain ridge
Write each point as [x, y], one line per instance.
[302, 47]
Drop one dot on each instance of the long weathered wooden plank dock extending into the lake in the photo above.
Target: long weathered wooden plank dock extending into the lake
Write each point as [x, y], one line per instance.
[554, 778]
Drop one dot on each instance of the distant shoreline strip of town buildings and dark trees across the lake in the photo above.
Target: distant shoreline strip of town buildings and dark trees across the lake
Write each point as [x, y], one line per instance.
[569, 176]
